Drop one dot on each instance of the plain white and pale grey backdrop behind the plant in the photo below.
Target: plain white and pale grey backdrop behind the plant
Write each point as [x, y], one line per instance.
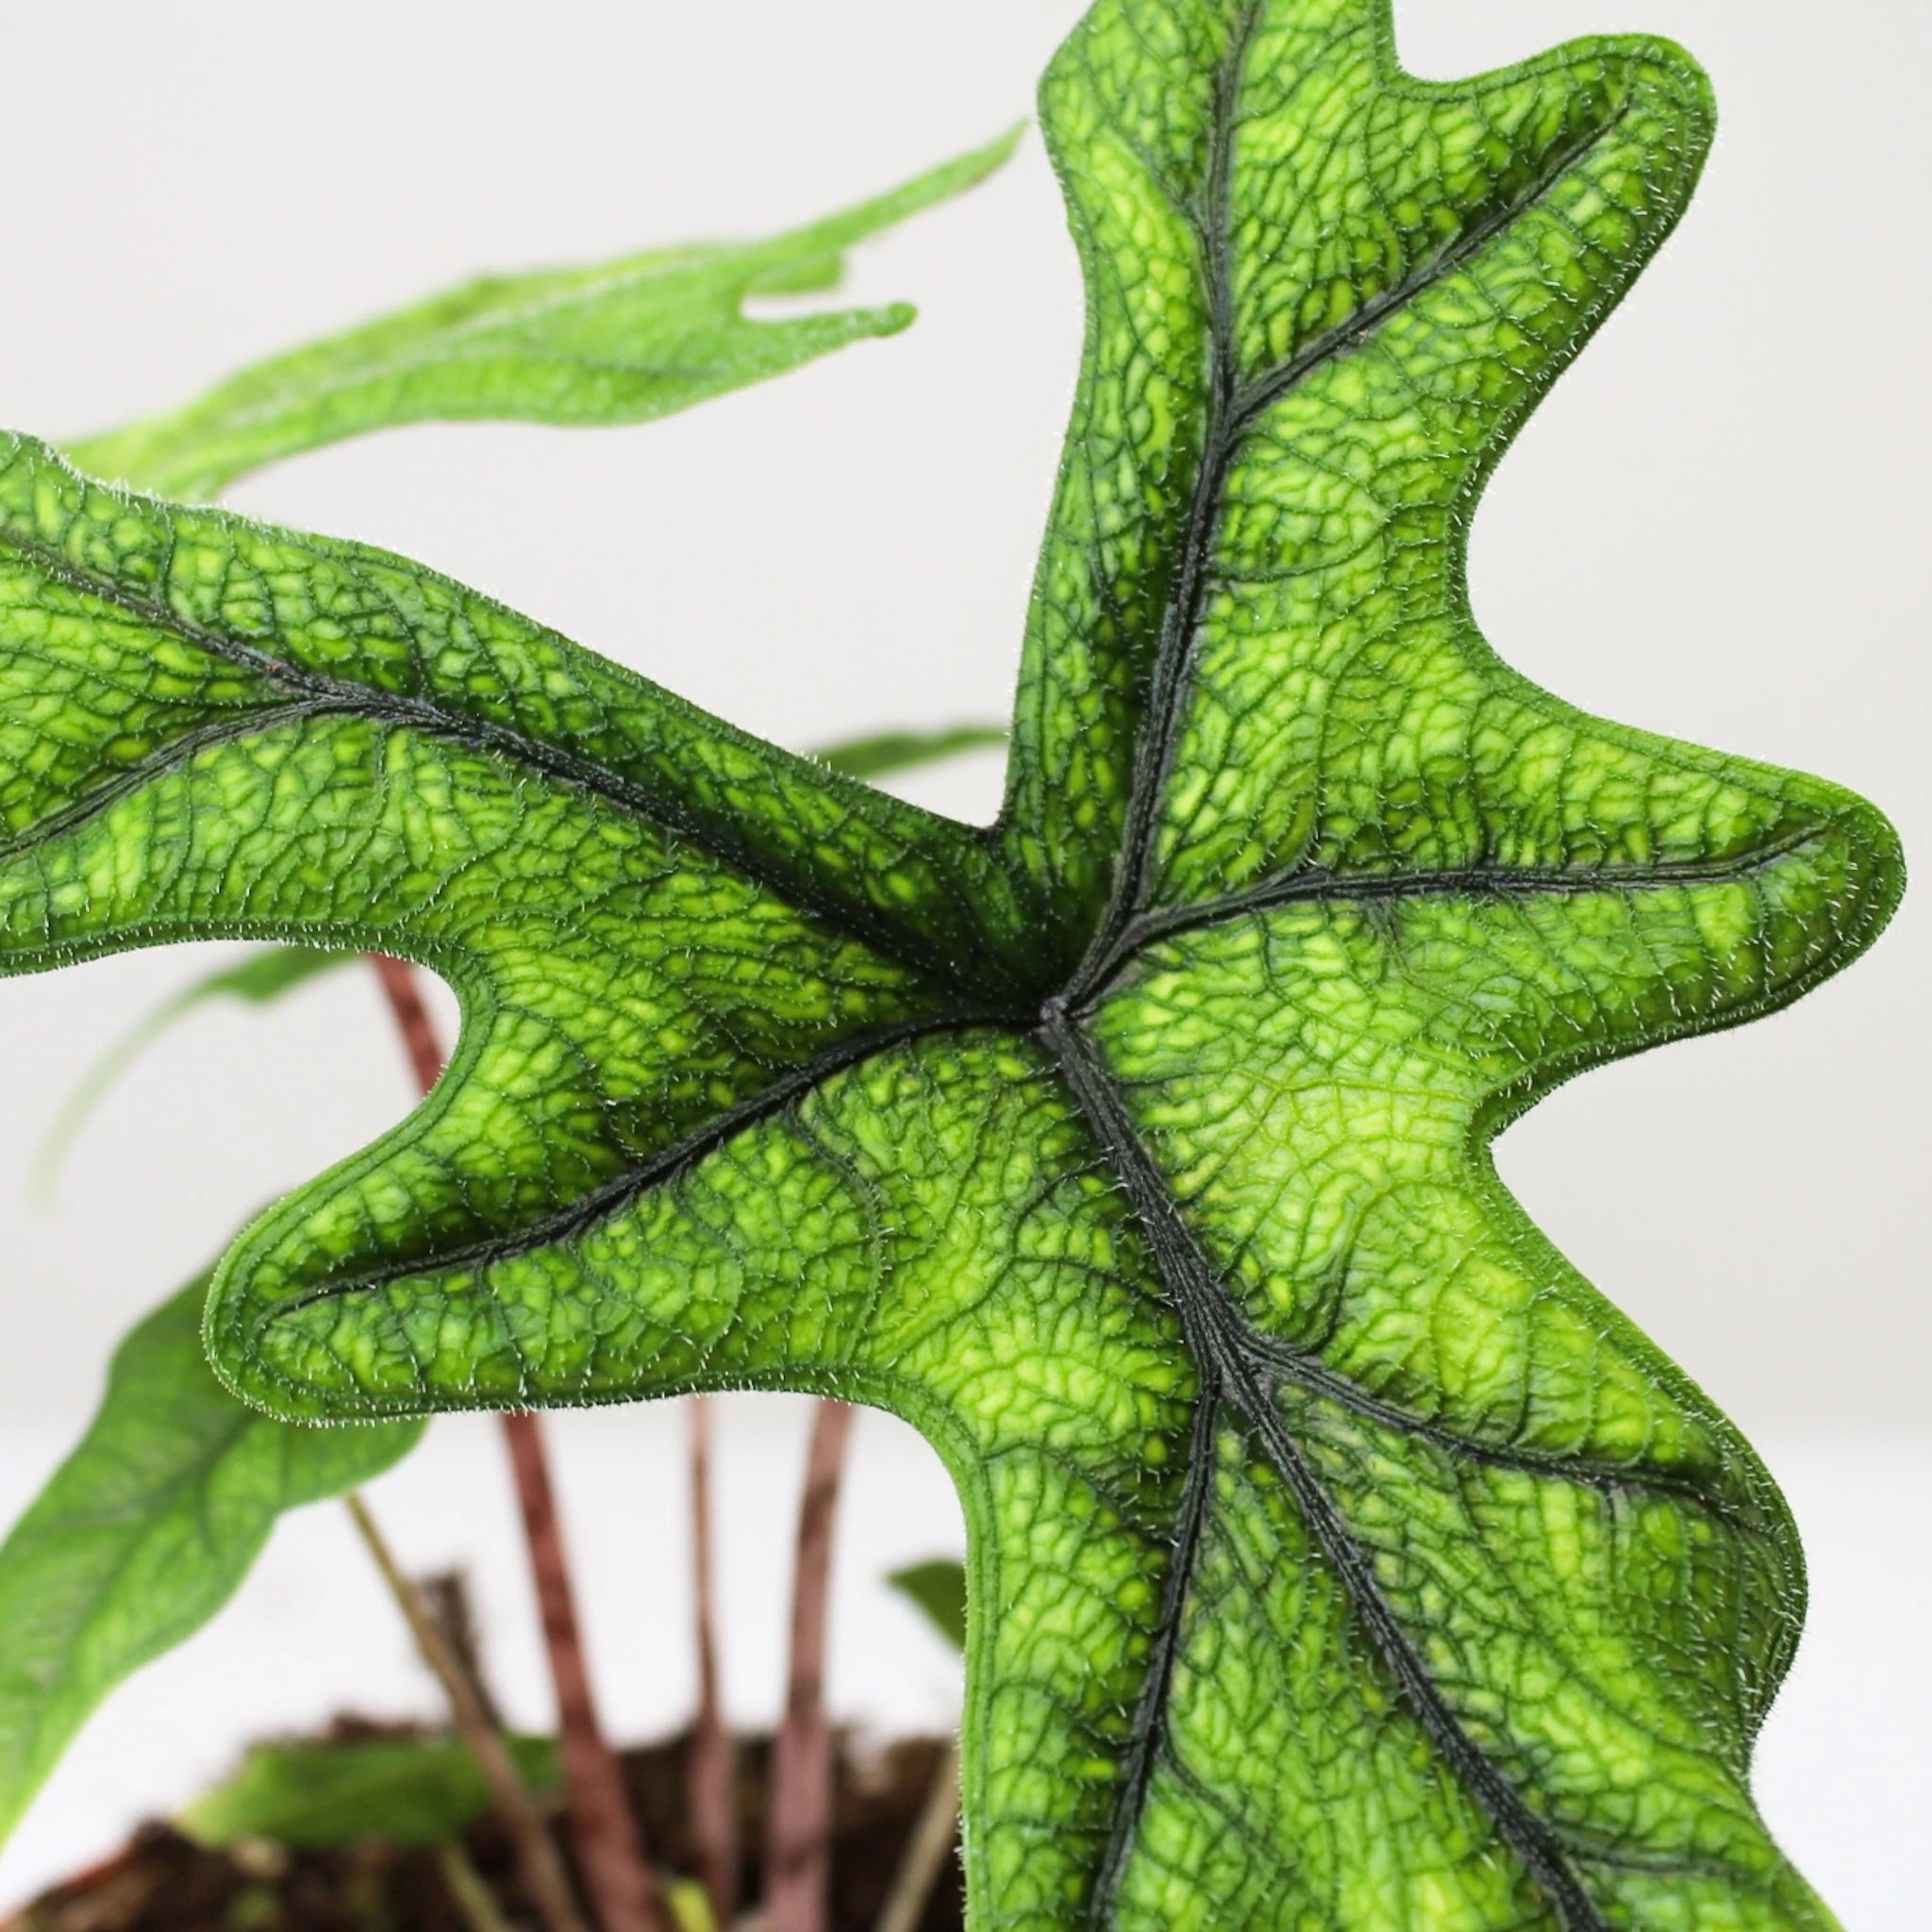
[1715, 528]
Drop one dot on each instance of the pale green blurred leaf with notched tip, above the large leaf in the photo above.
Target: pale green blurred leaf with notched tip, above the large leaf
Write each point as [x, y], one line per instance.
[579, 347]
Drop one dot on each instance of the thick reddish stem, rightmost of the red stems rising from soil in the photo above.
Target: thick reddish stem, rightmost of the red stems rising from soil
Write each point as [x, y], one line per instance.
[799, 1846]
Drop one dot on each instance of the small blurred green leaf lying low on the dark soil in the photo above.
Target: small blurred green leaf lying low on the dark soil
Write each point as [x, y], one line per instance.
[326, 1796]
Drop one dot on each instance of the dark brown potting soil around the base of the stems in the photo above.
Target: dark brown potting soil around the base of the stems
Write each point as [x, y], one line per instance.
[163, 1883]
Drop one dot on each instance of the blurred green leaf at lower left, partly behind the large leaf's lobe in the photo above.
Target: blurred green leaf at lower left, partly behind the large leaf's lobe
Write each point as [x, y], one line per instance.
[146, 1531]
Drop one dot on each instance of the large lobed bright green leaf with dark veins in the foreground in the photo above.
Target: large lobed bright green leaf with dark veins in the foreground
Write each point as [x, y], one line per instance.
[1338, 1556]
